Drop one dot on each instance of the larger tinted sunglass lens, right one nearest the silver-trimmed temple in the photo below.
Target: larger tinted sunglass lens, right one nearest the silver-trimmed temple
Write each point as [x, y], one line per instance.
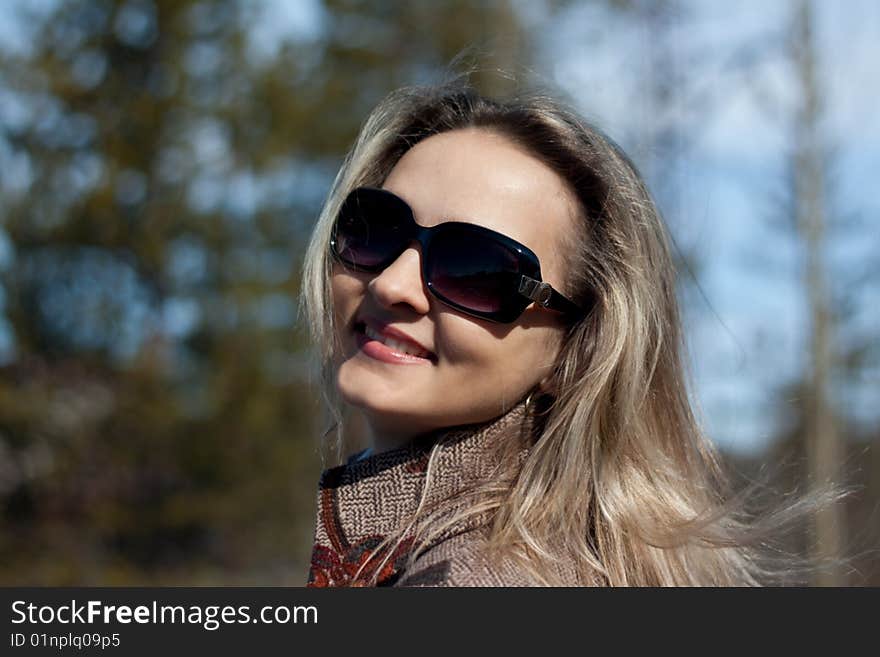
[475, 273]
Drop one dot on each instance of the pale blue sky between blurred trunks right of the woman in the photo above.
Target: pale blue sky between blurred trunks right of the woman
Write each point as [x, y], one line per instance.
[748, 336]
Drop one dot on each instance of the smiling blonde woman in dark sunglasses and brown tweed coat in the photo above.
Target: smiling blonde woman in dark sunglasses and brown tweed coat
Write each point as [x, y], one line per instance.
[491, 287]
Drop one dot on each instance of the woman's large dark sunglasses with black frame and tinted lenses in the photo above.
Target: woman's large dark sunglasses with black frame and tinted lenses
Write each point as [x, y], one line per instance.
[473, 269]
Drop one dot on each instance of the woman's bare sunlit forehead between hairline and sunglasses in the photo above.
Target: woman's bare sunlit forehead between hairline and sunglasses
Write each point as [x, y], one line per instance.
[480, 177]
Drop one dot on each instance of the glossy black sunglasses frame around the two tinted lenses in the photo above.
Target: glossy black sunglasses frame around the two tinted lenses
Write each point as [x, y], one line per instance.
[529, 286]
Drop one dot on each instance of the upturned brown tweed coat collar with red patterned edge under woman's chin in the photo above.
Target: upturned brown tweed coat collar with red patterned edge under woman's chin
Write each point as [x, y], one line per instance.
[364, 500]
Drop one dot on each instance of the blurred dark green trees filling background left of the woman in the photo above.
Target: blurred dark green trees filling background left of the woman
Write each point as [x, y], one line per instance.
[156, 419]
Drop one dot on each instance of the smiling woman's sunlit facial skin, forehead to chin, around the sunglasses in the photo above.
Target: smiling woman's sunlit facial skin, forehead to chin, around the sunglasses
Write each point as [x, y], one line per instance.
[478, 368]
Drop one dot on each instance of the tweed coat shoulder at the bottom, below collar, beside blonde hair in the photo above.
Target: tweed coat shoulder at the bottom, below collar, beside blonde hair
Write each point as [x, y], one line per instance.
[461, 561]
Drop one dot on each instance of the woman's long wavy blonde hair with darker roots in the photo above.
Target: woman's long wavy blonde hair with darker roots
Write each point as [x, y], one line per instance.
[621, 482]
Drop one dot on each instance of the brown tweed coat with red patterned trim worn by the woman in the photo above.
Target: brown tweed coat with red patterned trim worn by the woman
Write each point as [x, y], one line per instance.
[362, 501]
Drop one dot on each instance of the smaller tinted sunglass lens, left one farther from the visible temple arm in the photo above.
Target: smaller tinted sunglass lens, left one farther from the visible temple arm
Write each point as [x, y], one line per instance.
[370, 230]
